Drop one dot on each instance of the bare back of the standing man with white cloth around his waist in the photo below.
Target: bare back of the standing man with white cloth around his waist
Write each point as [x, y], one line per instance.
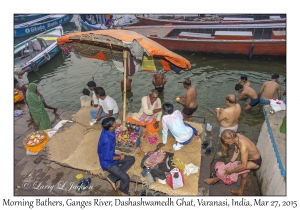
[230, 116]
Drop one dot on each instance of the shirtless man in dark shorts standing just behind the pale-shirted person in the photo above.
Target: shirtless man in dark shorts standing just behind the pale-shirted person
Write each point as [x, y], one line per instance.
[189, 100]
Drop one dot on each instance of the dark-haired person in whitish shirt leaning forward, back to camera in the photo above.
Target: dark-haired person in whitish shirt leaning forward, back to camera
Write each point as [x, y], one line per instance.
[182, 132]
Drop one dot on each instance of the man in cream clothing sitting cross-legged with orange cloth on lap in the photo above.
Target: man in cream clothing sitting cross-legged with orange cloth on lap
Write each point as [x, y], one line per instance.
[149, 114]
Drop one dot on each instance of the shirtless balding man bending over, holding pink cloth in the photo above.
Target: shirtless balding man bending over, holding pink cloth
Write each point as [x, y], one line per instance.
[250, 158]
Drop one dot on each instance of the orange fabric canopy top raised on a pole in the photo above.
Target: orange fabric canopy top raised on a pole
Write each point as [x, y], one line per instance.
[151, 46]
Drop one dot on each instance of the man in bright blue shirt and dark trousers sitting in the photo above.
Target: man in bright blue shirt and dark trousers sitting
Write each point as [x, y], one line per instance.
[116, 164]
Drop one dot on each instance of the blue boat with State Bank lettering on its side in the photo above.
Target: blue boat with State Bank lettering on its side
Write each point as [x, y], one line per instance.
[41, 24]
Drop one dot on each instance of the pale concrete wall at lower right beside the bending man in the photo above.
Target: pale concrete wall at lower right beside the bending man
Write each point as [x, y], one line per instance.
[269, 177]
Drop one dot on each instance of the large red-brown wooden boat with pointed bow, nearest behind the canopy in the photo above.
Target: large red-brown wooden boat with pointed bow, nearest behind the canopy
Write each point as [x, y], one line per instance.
[246, 39]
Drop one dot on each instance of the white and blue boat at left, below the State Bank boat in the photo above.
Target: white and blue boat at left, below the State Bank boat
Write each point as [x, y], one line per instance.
[37, 50]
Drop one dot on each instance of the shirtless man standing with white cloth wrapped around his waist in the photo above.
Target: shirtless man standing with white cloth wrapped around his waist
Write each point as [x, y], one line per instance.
[228, 118]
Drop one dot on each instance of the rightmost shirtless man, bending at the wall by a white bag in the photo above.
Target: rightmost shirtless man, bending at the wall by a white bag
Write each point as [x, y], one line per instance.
[268, 90]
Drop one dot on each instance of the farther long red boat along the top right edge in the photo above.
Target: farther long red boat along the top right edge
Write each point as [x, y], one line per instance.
[209, 20]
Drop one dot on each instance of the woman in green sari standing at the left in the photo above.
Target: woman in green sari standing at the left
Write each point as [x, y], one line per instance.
[36, 108]
